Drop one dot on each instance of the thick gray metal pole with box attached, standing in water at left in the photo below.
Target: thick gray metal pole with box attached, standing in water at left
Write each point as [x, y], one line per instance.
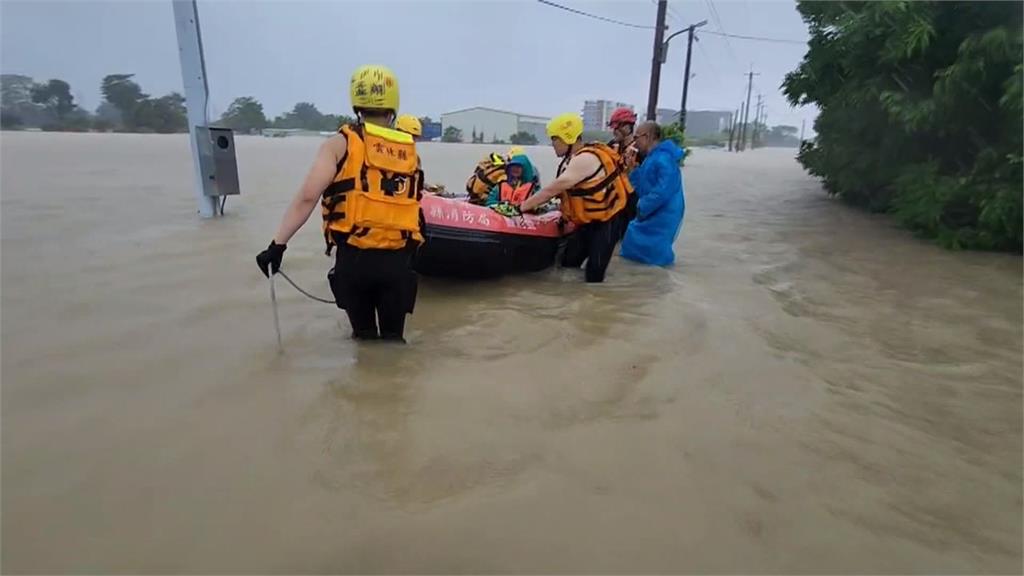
[197, 95]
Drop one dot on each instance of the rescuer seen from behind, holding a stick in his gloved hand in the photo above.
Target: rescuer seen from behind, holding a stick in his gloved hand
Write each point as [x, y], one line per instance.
[368, 185]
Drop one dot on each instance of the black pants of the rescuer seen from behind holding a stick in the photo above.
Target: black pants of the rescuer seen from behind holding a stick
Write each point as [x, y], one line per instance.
[375, 289]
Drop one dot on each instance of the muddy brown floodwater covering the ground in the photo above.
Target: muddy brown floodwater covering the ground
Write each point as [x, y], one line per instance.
[810, 389]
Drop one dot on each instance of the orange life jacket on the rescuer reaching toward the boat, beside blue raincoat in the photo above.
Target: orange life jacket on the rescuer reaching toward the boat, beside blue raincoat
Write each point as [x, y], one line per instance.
[601, 196]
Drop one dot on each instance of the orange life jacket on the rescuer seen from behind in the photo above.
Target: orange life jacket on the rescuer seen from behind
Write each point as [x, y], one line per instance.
[374, 201]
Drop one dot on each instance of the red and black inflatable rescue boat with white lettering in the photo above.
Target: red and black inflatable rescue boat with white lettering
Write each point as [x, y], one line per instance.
[471, 241]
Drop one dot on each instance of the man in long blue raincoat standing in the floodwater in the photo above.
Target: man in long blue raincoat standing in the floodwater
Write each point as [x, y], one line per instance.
[659, 185]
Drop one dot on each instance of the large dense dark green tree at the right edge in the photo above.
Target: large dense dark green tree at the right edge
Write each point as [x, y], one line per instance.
[921, 113]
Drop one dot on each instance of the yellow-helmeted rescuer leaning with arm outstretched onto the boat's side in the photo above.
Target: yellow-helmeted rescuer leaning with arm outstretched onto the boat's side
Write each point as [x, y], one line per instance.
[593, 188]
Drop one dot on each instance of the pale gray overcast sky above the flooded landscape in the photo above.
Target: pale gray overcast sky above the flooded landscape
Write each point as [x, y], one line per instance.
[448, 54]
